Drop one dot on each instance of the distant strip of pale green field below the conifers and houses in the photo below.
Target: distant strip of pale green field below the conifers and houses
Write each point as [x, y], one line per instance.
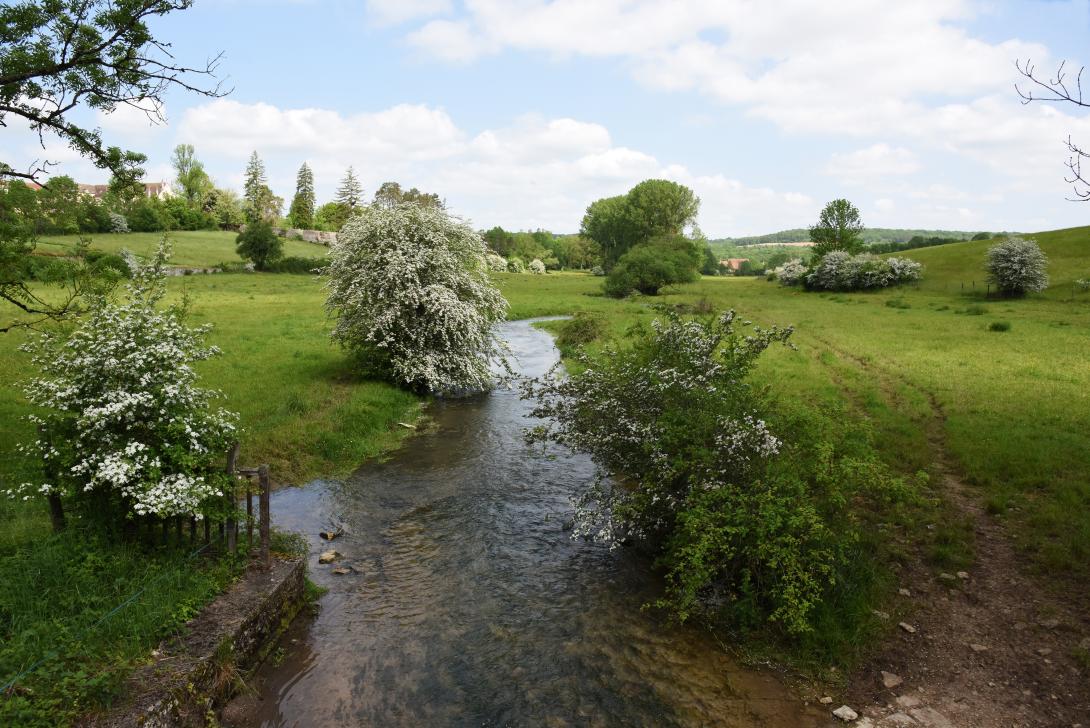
[193, 249]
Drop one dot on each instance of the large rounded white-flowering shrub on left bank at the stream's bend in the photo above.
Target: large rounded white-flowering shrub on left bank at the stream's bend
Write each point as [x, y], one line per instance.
[414, 300]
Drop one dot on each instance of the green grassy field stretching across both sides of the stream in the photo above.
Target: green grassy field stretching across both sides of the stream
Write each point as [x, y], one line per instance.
[1010, 408]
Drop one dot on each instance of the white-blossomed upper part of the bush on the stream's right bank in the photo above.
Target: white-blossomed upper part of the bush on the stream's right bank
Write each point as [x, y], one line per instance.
[664, 419]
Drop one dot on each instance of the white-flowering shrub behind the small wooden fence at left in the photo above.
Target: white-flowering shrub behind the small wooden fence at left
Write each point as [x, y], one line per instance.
[123, 423]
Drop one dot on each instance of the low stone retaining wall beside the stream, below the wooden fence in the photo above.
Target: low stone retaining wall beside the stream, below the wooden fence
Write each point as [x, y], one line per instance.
[197, 673]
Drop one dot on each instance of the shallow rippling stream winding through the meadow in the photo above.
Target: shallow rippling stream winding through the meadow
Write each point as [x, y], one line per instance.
[470, 605]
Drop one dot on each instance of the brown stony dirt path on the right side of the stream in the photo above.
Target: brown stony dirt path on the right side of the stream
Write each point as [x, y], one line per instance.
[987, 648]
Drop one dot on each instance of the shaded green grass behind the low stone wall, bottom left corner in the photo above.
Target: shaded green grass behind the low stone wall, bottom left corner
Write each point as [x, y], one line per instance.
[60, 627]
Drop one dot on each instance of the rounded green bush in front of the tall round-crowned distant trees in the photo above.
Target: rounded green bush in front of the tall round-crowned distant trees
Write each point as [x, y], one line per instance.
[650, 268]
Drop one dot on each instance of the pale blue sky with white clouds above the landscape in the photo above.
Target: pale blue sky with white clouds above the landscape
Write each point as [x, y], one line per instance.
[522, 113]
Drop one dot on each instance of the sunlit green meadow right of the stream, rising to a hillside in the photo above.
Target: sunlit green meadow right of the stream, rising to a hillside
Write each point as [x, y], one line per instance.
[1013, 408]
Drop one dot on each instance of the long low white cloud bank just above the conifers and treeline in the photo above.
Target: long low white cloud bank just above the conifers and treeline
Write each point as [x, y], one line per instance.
[534, 173]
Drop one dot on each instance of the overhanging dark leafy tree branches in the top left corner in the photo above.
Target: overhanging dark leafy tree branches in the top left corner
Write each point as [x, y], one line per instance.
[60, 57]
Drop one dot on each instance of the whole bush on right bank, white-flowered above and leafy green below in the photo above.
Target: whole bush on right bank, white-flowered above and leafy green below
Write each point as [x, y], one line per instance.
[746, 527]
